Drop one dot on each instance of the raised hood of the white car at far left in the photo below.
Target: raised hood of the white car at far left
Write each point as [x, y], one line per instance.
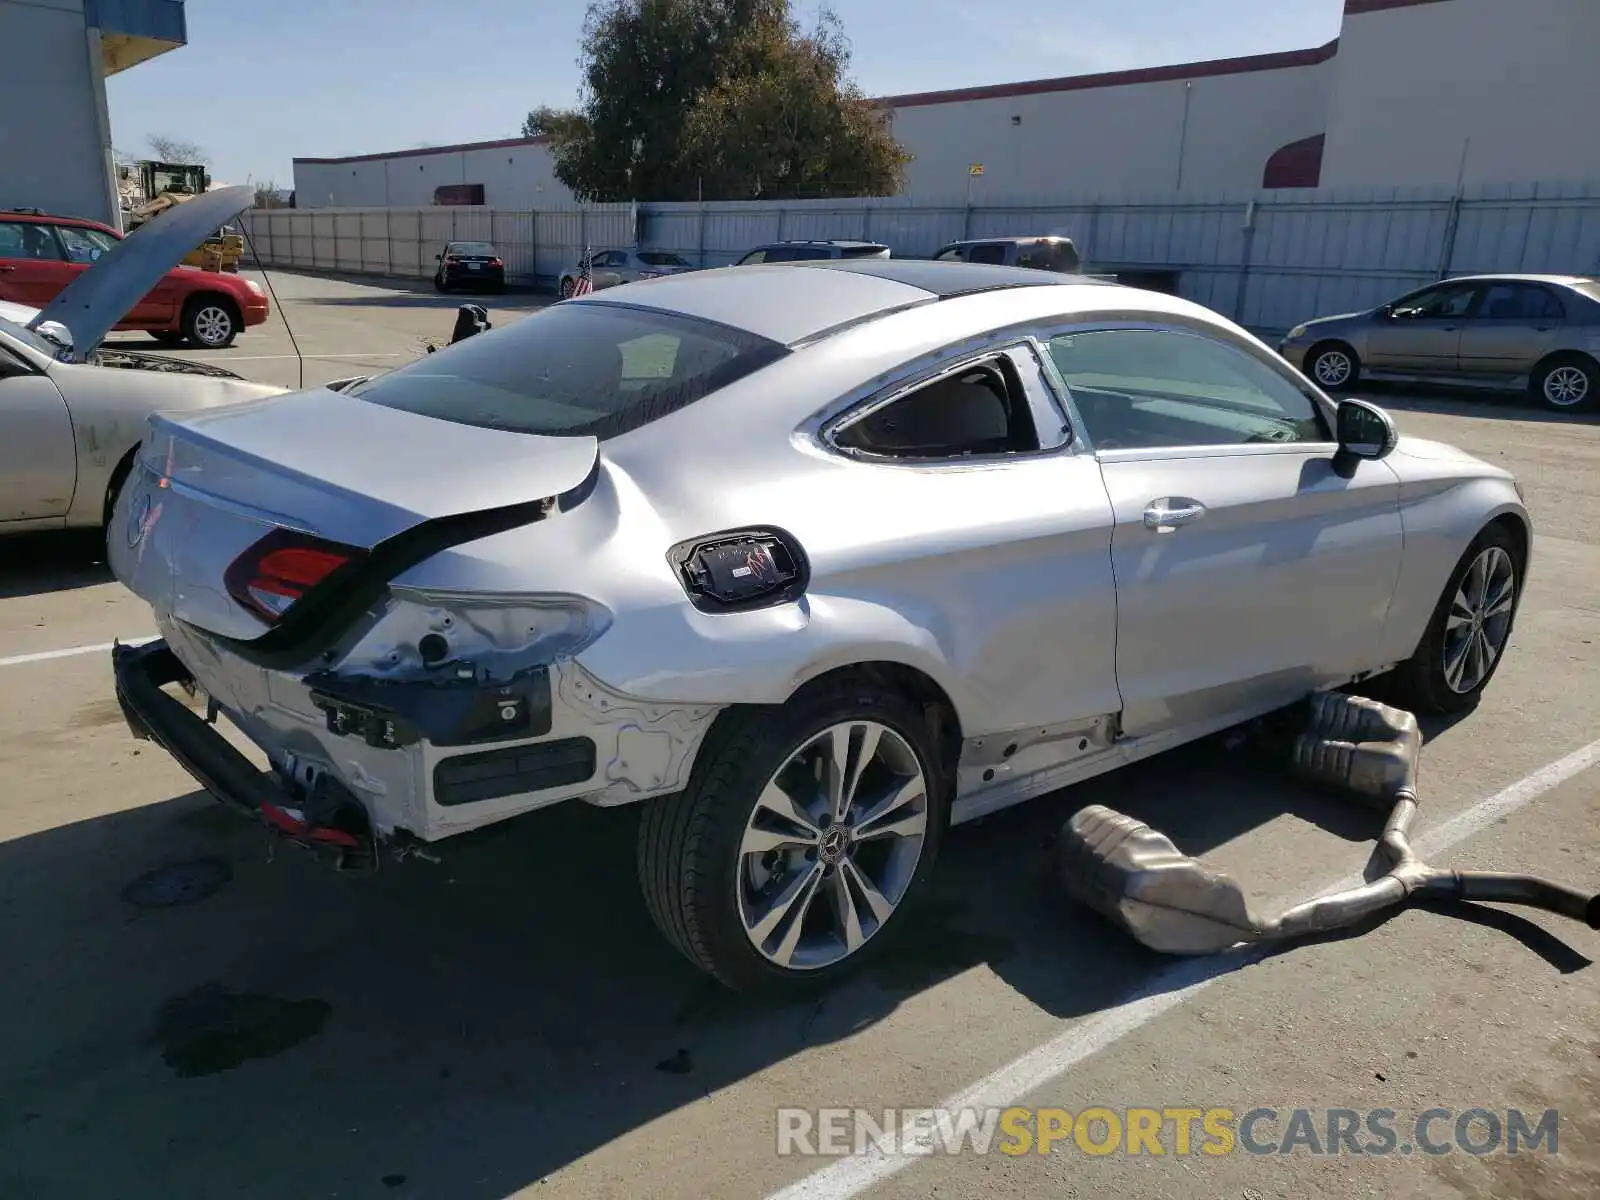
[103, 295]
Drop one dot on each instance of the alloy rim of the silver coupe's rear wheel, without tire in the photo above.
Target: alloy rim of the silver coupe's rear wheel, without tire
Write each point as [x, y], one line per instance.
[833, 846]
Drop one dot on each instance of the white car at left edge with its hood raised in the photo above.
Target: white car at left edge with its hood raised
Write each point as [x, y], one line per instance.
[73, 414]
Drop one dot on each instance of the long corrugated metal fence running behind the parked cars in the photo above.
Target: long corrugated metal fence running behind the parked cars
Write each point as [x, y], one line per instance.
[1266, 260]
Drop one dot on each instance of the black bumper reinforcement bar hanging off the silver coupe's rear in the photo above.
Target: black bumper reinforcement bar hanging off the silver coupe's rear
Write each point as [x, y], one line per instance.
[326, 822]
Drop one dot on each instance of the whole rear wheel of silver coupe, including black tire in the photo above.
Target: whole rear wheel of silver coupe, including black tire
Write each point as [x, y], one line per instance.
[705, 887]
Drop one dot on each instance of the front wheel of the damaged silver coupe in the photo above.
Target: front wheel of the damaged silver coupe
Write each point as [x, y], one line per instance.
[1470, 630]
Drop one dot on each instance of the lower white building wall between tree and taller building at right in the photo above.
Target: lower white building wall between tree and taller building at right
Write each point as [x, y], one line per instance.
[1114, 140]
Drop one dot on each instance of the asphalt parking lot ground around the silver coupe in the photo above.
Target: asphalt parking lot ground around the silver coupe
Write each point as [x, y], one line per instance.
[508, 1022]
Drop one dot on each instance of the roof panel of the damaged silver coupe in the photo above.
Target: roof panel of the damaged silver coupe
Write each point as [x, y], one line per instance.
[794, 303]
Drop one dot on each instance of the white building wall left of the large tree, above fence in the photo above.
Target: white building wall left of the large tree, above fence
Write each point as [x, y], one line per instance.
[521, 175]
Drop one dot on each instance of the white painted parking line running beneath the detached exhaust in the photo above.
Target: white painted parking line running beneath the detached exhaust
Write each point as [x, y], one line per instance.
[1167, 991]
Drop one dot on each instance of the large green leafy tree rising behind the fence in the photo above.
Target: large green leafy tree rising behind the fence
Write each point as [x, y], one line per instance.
[718, 98]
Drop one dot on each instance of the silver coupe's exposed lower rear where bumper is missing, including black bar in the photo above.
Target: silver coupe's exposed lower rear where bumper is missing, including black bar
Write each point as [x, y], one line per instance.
[362, 764]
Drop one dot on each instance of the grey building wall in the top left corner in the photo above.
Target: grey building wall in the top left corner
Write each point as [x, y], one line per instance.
[52, 92]
